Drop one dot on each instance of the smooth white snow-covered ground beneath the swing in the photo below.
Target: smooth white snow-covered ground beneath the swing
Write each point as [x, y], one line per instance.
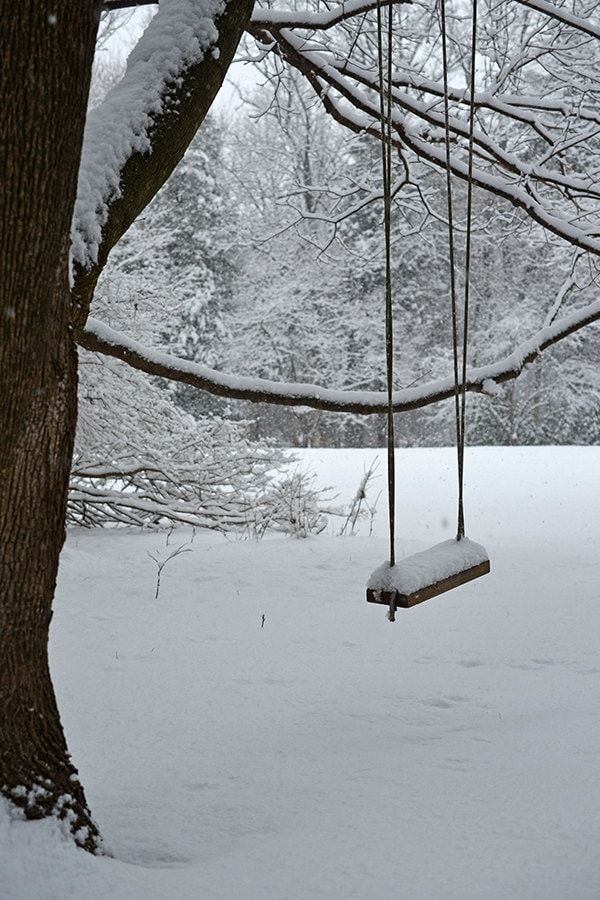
[331, 754]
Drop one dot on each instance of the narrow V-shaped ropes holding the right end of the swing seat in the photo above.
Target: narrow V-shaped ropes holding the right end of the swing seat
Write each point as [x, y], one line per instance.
[460, 382]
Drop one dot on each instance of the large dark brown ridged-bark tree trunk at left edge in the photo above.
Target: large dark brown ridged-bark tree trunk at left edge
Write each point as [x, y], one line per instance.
[46, 58]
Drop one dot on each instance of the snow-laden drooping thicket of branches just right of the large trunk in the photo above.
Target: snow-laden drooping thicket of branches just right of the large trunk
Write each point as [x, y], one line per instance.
[141, 460]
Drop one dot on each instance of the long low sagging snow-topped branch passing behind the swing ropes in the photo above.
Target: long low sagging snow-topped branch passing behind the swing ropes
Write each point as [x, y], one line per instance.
[99, 337]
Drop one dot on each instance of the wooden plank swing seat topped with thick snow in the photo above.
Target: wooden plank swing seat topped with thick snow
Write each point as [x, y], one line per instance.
[427, 574]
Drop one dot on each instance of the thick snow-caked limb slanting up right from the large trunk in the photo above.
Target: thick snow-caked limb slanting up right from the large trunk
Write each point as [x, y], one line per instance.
[136, 137]
